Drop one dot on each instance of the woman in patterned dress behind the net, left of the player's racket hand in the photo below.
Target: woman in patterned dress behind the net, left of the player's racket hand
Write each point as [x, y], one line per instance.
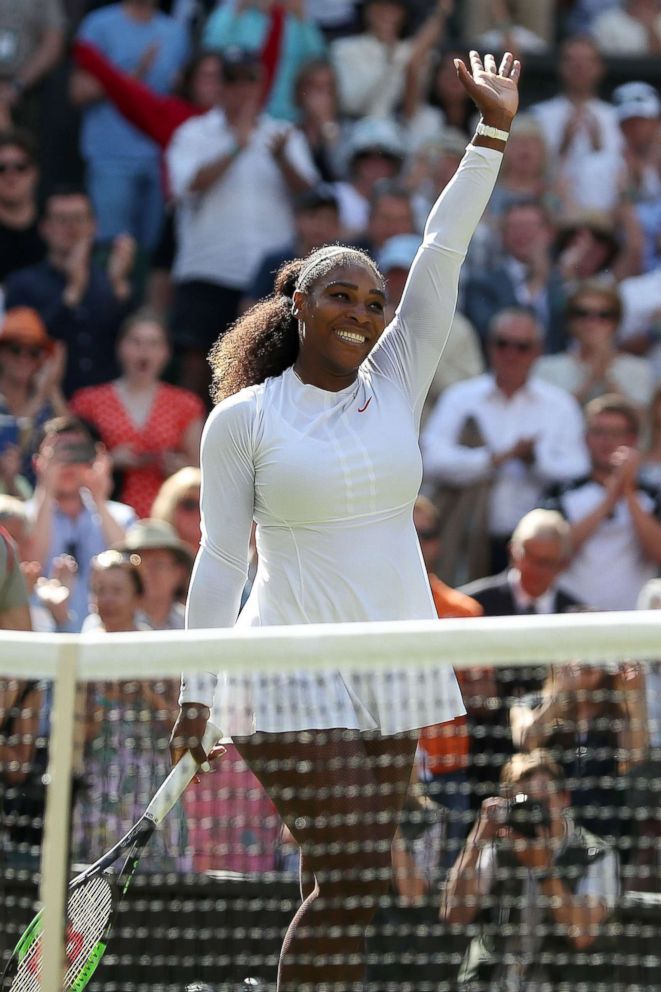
[125, 730]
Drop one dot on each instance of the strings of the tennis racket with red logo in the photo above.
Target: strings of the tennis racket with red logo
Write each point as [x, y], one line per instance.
[88, 911]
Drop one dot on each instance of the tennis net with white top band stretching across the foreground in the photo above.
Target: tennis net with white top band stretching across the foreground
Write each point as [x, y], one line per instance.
[516, 847]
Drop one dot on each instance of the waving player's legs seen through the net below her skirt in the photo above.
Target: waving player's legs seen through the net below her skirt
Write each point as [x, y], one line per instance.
[340, 793]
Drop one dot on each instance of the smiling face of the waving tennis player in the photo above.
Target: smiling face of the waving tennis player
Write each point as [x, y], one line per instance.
[341, 317]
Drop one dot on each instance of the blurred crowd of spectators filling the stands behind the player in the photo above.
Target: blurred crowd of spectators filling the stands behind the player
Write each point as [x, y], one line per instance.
[158, 162]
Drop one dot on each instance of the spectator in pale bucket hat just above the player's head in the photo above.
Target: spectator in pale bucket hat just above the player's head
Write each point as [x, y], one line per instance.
[375, 156]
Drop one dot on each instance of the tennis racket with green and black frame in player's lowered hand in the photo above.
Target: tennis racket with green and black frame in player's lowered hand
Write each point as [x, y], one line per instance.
[95, 895]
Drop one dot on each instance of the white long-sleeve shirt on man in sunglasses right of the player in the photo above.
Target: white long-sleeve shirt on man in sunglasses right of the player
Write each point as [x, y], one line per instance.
[539, 410]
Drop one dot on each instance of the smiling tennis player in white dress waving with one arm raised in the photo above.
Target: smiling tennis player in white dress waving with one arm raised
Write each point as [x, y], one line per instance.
[315, 438]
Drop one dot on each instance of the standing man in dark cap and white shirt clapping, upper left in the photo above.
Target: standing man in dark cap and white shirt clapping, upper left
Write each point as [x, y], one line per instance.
[233, 169]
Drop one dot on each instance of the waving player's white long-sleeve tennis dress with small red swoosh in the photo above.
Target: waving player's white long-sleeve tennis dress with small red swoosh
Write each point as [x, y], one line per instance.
[330, 478]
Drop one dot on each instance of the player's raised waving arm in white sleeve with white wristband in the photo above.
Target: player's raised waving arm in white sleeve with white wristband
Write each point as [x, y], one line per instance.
[410, 348]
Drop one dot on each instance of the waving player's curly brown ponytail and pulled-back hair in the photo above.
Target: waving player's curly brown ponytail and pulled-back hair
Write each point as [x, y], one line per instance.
[263, 342]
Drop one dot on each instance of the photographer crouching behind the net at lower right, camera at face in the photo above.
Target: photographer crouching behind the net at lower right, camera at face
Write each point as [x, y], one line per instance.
[547, 890]
